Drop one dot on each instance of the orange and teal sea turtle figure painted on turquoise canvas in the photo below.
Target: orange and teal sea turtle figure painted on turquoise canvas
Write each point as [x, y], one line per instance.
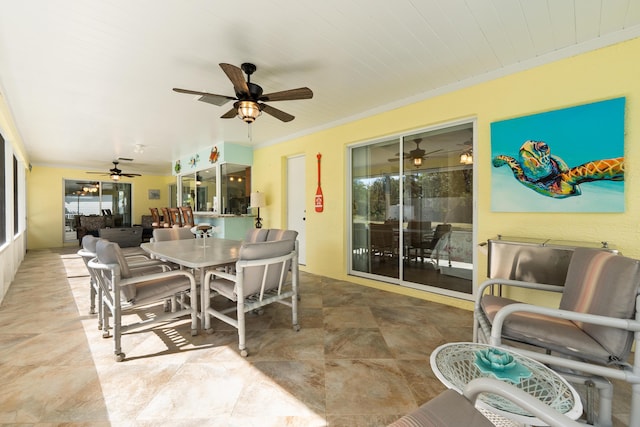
[547, 174]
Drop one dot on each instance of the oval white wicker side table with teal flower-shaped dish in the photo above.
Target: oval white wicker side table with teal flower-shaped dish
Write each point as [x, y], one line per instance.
[456, 364]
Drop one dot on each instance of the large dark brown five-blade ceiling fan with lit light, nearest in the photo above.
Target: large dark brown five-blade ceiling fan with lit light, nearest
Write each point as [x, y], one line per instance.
[249, 97]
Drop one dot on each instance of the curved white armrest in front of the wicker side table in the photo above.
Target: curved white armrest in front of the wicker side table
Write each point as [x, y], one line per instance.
[521, 398]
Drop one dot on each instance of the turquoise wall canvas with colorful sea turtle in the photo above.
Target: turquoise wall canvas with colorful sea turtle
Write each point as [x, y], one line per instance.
[568, 160]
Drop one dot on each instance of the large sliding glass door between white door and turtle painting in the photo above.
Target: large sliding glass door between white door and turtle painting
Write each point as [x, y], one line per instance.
[412, 209]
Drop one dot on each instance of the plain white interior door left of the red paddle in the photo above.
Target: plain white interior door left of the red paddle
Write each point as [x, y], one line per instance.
[296, 196]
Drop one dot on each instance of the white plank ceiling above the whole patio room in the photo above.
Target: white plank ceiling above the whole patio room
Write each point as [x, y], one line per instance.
[87, 80]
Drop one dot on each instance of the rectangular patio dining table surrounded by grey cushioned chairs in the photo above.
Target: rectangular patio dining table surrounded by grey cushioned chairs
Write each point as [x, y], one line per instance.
[198, 254]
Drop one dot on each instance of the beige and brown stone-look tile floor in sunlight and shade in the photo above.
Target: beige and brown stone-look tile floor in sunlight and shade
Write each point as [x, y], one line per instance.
[360, 359]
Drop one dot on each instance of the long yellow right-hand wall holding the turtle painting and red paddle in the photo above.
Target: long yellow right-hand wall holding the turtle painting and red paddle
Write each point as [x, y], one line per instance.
[602, 74]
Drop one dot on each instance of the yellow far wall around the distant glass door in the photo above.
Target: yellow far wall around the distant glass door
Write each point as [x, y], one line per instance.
[45, 192]
